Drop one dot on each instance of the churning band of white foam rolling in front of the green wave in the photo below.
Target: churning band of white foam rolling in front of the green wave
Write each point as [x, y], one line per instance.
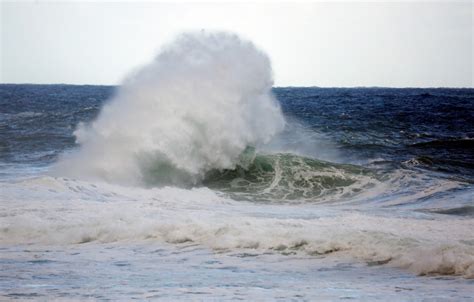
[59, 211]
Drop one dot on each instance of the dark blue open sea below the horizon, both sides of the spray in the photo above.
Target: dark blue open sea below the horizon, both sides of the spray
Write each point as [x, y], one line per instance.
[429, 128]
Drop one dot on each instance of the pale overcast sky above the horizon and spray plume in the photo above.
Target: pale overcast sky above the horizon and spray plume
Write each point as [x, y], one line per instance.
[326, 44]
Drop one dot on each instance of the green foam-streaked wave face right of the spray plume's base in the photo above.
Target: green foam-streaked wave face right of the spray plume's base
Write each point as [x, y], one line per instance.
[288, 177]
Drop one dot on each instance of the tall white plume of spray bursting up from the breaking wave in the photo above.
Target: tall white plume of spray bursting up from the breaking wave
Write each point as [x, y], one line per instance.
[196, 107]
